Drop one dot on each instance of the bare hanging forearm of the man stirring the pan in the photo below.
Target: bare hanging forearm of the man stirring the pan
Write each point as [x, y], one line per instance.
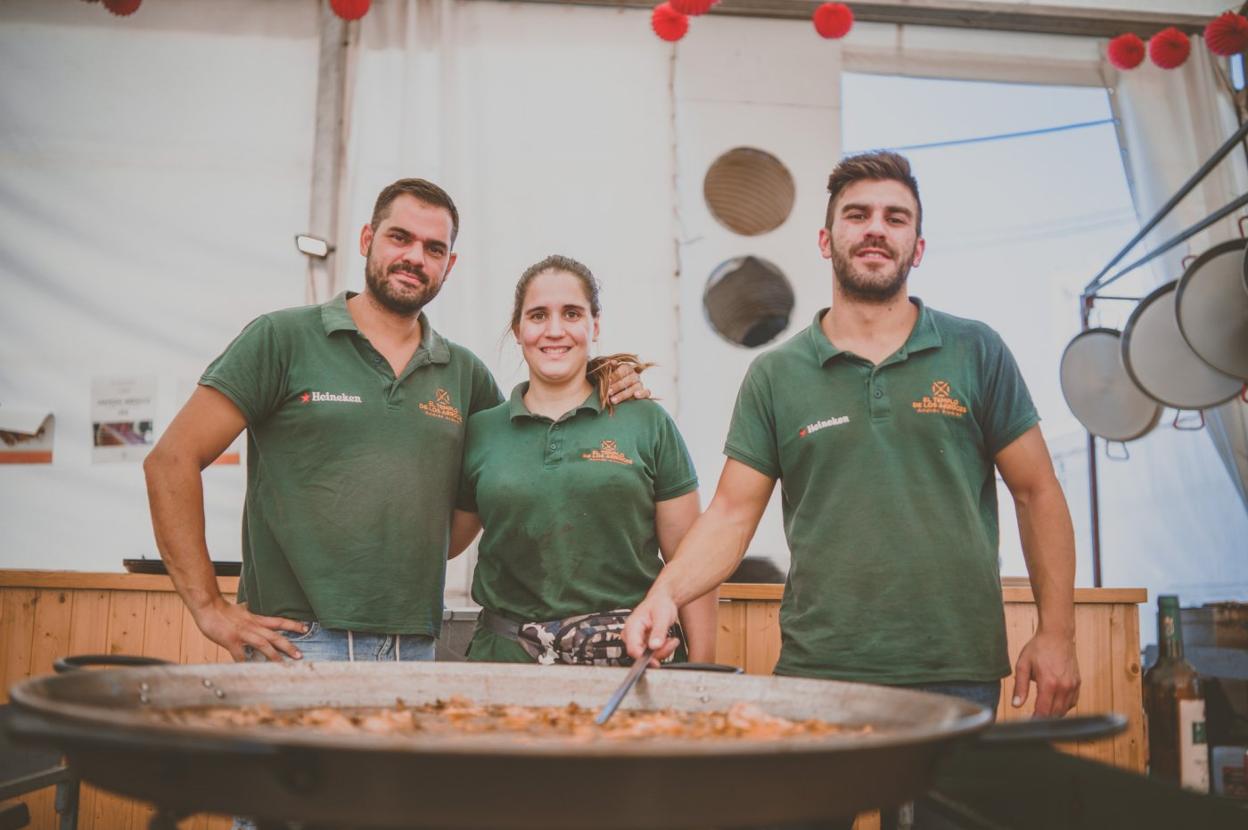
[1049, 547]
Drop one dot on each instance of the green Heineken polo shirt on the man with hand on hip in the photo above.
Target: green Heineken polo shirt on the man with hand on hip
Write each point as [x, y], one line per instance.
[351, 472]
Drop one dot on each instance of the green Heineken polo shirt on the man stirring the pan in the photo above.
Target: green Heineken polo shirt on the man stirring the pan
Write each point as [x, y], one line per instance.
[889, 496]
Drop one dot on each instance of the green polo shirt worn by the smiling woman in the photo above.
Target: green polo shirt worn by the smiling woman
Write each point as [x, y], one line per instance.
[568, 509]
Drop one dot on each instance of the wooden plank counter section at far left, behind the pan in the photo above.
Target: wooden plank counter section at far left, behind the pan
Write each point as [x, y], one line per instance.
[38, 626]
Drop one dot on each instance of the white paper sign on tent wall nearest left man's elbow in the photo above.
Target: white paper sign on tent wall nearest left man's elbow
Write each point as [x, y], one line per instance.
[123, 410]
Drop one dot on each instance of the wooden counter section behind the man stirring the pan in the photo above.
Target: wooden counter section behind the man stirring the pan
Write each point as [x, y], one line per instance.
[1106, 641]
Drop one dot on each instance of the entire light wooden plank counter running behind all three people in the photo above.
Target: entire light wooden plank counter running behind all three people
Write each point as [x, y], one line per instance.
[46, 615]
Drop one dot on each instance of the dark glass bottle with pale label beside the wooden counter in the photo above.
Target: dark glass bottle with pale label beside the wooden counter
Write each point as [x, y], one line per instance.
[1175, 706]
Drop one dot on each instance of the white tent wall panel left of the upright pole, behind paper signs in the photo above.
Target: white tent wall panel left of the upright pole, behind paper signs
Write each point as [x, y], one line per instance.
[153, 172]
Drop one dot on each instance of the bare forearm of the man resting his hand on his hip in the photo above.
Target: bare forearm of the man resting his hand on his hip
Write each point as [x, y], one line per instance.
[175, 492]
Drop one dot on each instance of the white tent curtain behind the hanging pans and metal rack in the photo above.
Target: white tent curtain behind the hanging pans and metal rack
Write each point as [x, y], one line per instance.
[1189, 535]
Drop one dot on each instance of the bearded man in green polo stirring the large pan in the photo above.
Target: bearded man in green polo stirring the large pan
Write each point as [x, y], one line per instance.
[885, 421]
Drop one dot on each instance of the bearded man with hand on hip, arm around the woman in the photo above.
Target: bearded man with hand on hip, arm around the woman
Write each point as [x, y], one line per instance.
[355, 414]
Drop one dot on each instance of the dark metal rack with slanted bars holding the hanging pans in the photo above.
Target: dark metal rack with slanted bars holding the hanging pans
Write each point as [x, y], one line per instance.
[1091, 294]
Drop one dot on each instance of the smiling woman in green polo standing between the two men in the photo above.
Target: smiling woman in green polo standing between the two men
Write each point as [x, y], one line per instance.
[577, 499]
